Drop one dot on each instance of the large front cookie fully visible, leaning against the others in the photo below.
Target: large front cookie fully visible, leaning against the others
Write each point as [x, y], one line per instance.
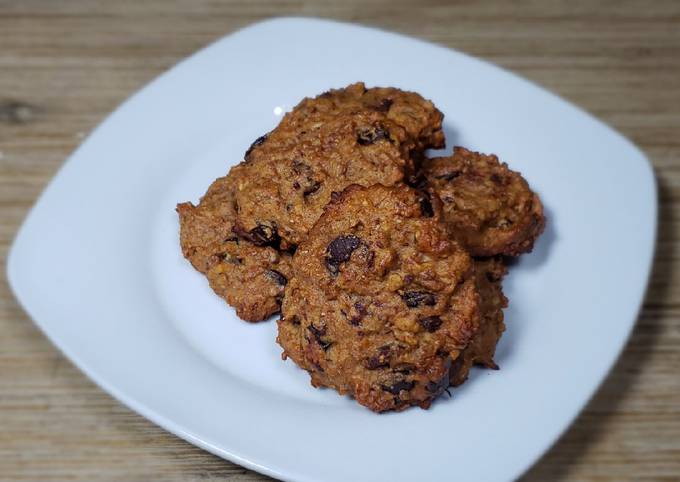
[381, 302]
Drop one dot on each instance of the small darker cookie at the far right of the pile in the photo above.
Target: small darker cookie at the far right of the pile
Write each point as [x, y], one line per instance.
[489, 207]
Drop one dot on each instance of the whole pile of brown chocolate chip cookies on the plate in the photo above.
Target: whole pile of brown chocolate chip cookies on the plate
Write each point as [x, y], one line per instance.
[385, 266]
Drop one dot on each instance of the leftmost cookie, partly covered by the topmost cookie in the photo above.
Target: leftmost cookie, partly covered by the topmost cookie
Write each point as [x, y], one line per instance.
[250, 278]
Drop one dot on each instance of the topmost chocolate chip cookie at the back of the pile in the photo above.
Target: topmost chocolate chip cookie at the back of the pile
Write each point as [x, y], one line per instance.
[347, 136]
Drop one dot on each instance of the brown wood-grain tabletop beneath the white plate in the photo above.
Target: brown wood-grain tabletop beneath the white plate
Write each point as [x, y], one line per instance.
[64, 65]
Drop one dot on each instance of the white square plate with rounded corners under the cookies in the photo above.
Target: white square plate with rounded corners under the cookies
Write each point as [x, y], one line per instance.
[97, 263]
